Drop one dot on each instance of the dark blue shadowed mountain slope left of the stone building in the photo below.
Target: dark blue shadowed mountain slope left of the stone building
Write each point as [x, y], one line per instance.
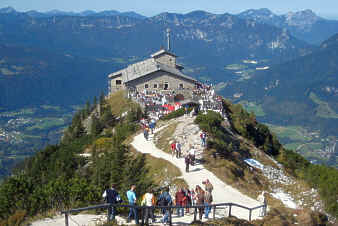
[30, 76]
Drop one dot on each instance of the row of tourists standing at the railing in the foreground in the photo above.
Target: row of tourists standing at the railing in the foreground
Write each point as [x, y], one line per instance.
[183, 199]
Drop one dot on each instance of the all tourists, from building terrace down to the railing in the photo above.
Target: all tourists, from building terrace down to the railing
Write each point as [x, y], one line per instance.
[157, 106]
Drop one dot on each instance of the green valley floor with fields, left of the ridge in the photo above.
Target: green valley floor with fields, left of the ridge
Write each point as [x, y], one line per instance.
[25, 131]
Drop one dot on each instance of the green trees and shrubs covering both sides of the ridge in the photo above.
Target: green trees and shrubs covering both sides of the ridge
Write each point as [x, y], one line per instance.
[58, 177]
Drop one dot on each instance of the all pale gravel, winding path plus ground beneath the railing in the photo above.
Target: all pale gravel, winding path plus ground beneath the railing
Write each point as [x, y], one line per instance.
[188, 134]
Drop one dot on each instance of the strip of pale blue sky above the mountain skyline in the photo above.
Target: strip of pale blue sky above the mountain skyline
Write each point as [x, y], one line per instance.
[326, 8]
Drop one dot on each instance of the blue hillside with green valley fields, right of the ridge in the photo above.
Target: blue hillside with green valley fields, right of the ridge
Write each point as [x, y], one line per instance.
[298, 99]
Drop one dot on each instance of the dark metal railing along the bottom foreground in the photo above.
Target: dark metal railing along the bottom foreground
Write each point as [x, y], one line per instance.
[142, 209]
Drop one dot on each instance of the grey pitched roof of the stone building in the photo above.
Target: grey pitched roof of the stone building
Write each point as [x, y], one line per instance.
[148, 66]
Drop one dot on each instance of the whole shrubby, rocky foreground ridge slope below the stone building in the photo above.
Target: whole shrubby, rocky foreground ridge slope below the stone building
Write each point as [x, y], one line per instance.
[61, 177]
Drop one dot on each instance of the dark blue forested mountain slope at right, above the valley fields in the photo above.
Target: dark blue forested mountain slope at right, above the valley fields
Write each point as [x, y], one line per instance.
[300, 92]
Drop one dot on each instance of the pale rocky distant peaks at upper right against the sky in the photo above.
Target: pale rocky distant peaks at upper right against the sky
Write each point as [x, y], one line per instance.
[305, 25]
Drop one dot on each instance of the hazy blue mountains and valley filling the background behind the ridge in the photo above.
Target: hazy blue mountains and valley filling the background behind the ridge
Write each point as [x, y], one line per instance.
[45, 55]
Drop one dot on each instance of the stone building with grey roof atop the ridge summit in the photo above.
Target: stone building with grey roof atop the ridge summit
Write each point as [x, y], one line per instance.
[160, 72]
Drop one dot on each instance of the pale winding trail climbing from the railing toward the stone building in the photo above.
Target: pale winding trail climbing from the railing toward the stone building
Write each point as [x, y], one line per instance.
[188, 134]
